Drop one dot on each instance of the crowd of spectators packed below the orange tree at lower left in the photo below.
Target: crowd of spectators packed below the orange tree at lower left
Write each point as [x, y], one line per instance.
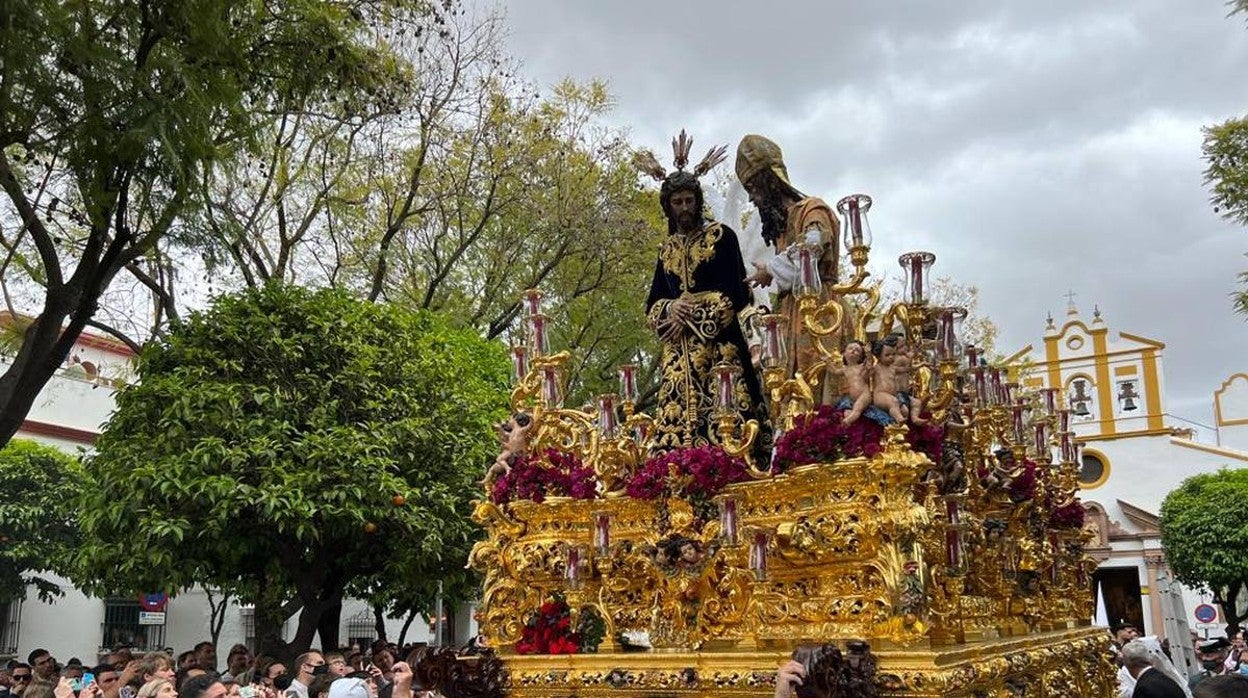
[350, 674]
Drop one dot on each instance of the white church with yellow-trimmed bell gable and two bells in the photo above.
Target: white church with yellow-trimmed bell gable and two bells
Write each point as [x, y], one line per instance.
[1136, 454]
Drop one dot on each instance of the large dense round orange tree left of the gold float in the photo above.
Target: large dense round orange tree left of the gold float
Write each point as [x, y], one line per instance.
[286, 445]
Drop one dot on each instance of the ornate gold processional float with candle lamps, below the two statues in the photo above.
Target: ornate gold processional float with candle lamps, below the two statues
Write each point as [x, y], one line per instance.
[904, 560]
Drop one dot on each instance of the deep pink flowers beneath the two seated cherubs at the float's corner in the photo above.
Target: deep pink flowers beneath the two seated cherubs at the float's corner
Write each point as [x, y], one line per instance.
[824, 436]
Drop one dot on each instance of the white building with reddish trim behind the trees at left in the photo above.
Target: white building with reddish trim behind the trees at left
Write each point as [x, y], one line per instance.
[69, 415]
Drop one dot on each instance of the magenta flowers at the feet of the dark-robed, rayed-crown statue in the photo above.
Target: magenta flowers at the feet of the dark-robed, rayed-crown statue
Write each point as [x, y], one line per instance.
[698, 473]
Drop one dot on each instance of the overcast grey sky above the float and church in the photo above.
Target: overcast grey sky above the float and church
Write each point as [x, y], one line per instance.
[1035, 148]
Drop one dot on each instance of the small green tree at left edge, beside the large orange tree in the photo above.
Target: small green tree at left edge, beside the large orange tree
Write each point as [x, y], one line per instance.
[38, 523]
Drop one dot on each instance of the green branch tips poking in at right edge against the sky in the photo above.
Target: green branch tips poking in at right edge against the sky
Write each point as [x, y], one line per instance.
[1226, 155]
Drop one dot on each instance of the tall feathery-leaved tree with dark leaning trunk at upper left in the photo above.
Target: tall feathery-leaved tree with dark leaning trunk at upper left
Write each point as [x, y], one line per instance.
[113, 111]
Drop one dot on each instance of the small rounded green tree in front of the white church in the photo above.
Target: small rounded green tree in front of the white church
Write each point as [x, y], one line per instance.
[1205, 538]
